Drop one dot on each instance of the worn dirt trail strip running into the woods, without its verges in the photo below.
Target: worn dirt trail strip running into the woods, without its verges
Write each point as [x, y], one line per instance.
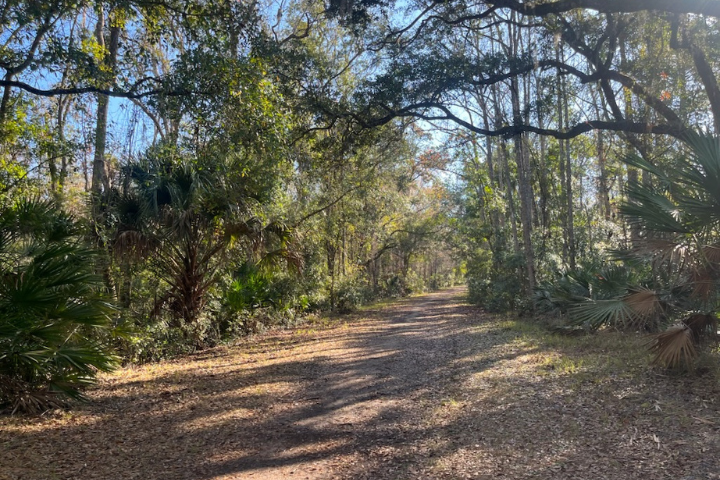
[362, 395]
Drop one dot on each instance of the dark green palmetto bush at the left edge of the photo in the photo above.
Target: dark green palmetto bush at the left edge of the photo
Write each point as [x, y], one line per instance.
[54, 321]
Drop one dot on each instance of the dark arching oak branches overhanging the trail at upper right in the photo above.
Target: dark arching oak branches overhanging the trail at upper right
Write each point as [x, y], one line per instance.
[423, 78]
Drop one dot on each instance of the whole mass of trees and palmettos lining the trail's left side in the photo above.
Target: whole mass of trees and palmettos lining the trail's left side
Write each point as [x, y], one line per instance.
[169, 181]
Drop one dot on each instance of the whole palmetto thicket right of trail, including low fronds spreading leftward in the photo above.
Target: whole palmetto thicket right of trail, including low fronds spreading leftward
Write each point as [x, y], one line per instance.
[671, 272]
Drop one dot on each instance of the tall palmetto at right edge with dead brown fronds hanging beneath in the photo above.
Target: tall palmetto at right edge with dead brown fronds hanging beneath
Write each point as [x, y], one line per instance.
[681, 215]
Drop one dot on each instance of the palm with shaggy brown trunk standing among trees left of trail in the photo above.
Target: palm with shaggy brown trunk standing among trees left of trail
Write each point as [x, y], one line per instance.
[183, 216]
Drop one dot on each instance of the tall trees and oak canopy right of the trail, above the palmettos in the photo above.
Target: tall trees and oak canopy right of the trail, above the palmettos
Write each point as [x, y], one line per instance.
[535, 79]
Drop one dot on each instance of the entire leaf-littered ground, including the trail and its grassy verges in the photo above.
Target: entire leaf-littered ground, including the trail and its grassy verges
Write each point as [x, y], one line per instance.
[422, 388]
